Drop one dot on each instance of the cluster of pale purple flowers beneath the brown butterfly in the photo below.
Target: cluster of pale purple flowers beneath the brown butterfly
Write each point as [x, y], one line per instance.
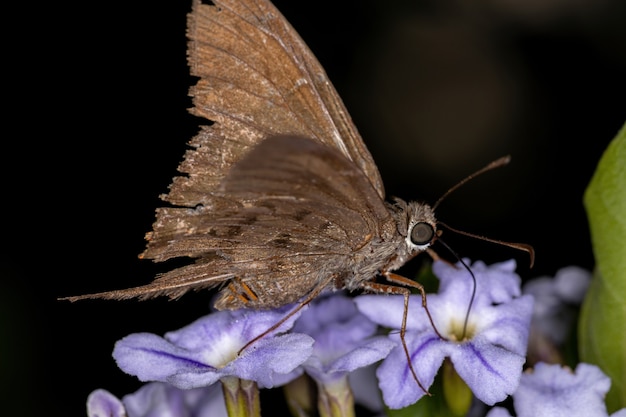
[336, 338]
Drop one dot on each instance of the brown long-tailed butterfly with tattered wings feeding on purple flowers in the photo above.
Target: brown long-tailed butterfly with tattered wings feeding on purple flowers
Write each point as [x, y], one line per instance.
[280, 198]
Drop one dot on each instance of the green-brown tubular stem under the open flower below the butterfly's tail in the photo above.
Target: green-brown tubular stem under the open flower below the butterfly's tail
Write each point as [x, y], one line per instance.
[241, 397]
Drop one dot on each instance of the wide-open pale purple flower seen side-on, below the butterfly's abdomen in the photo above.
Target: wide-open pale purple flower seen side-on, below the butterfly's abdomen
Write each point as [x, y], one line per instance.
[201, 353]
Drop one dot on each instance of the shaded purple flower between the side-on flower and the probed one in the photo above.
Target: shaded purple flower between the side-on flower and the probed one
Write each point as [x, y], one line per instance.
[344, 338]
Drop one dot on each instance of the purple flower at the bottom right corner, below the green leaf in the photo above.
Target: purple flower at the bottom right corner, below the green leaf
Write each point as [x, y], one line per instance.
[550, 390]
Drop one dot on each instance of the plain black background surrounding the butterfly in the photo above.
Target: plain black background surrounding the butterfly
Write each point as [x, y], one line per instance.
[98, 125]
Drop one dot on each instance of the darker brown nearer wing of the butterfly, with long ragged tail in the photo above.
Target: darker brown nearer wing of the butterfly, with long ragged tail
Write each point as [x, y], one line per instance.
[294, 213]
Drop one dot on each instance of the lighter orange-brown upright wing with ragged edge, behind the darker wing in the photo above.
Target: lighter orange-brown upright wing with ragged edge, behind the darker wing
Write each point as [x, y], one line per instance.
[257, 79]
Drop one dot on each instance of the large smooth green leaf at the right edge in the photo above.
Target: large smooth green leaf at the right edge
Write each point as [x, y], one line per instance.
[602, 326]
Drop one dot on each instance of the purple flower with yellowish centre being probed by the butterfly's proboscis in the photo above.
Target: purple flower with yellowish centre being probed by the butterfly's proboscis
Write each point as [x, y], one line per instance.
[488, 354]
